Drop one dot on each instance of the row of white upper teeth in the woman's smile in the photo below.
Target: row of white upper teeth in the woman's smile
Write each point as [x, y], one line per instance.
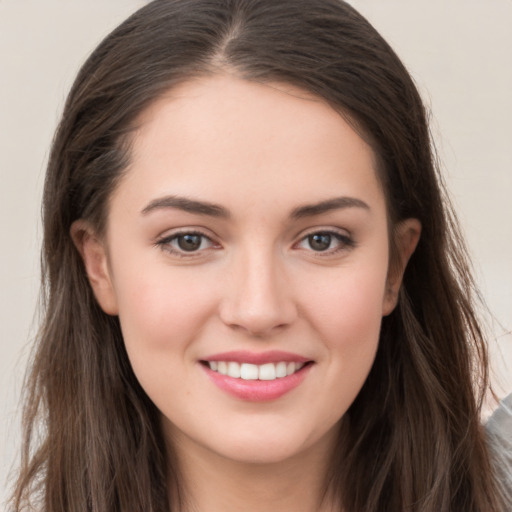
[247, 371]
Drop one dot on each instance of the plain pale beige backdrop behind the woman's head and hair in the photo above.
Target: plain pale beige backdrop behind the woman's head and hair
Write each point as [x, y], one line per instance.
[458, 51]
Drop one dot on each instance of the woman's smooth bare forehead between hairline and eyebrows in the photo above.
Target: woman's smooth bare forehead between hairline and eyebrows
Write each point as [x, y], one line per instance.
[234, 140]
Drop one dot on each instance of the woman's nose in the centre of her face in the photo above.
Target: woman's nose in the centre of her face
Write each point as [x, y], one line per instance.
[259, 298]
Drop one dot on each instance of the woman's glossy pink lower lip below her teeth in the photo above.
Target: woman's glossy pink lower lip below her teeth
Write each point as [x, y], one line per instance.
[257, 390]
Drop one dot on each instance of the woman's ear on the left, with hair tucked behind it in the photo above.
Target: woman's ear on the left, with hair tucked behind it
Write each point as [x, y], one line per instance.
[95, 257]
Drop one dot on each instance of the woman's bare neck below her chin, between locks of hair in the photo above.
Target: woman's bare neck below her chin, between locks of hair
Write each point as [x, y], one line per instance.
[212, 483]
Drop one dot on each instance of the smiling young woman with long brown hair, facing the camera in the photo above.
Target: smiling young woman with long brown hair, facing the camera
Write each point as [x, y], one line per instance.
[256, 295]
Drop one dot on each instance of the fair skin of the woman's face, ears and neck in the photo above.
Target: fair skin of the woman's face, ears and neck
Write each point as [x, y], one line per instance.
[255, 283]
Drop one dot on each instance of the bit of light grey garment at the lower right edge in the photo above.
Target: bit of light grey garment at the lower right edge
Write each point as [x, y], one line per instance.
[499, 437]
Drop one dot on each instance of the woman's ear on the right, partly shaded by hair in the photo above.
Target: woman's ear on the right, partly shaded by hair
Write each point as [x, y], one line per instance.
[406, 236]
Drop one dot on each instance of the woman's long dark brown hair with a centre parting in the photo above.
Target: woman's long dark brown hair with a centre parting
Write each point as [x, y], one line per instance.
[412, 439]
